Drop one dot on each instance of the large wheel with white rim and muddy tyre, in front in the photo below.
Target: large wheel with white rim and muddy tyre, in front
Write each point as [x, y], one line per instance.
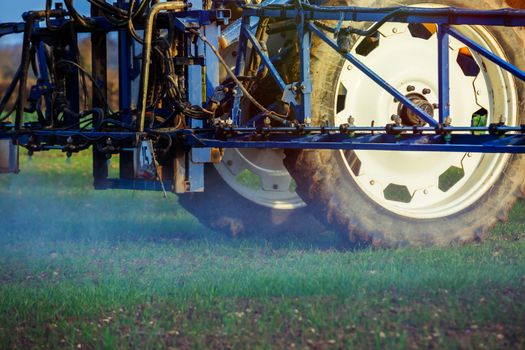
[413, 198]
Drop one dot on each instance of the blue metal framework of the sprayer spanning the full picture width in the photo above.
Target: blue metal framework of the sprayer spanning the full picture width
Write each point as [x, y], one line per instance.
[439, 136]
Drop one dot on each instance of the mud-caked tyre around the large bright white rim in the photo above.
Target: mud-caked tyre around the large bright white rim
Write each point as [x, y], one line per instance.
[330, 192]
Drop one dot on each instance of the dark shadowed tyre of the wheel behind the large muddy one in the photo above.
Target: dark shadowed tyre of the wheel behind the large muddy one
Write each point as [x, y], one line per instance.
[222, 209]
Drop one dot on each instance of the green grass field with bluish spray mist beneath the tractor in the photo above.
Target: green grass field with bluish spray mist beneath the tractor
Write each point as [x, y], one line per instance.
[84, 269]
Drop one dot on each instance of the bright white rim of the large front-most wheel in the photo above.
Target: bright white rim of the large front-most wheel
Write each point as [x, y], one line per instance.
[417, 174]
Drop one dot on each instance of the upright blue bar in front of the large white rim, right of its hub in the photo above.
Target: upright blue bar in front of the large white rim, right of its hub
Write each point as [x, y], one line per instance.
[444, 73]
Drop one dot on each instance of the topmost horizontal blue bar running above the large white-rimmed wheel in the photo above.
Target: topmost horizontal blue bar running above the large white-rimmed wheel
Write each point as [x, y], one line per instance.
[445, 15]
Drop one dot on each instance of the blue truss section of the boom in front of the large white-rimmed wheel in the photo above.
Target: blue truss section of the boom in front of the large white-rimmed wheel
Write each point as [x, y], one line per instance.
[441, 136]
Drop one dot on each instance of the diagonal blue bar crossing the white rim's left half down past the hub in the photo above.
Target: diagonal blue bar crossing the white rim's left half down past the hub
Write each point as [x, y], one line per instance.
[376, 78]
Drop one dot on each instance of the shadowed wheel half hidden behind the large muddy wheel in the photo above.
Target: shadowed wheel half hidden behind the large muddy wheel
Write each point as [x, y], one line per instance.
[250, 191]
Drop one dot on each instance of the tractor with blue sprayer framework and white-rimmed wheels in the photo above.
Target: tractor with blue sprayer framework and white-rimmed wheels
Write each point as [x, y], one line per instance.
[392, 123]
